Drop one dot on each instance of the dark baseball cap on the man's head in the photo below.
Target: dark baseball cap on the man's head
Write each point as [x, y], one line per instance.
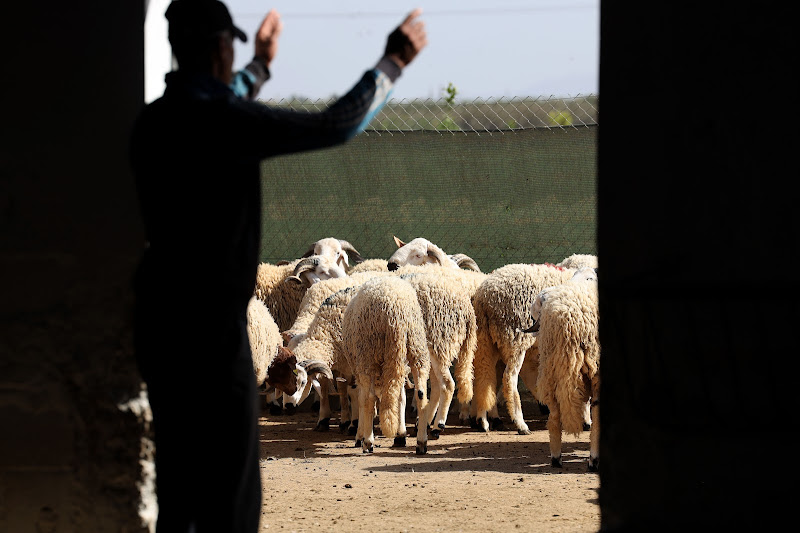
[193, 19]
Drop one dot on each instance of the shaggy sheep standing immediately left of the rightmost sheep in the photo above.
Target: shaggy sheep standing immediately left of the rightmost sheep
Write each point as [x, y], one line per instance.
[502, 303]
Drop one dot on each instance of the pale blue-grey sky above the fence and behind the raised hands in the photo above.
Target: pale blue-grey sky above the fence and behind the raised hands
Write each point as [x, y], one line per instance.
[513, 48]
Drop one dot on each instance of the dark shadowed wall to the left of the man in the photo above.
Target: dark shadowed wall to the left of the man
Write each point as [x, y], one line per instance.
[69, 241]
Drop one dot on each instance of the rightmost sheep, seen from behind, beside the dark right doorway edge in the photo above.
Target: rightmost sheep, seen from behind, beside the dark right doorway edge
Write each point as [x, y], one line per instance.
[569, 362]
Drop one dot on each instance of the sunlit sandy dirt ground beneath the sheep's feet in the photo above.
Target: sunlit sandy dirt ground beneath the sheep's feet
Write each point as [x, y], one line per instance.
[469, 481]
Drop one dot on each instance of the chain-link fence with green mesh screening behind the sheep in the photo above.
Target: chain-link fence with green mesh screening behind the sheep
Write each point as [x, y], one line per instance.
[502, 181]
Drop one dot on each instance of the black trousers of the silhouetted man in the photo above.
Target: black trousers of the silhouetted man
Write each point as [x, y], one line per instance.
[202, 393]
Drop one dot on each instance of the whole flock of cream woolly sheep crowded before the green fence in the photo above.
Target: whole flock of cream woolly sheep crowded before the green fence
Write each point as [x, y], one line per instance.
[370, 330]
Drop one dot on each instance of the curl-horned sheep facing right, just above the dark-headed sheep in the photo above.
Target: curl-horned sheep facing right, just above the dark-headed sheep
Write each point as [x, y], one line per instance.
[282, 286]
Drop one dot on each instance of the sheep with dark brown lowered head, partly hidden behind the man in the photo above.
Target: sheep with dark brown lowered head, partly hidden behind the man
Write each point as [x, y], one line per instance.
[272, 364]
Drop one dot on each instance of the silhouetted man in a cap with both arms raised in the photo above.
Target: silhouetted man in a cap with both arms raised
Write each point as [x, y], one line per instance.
[195, 153]
